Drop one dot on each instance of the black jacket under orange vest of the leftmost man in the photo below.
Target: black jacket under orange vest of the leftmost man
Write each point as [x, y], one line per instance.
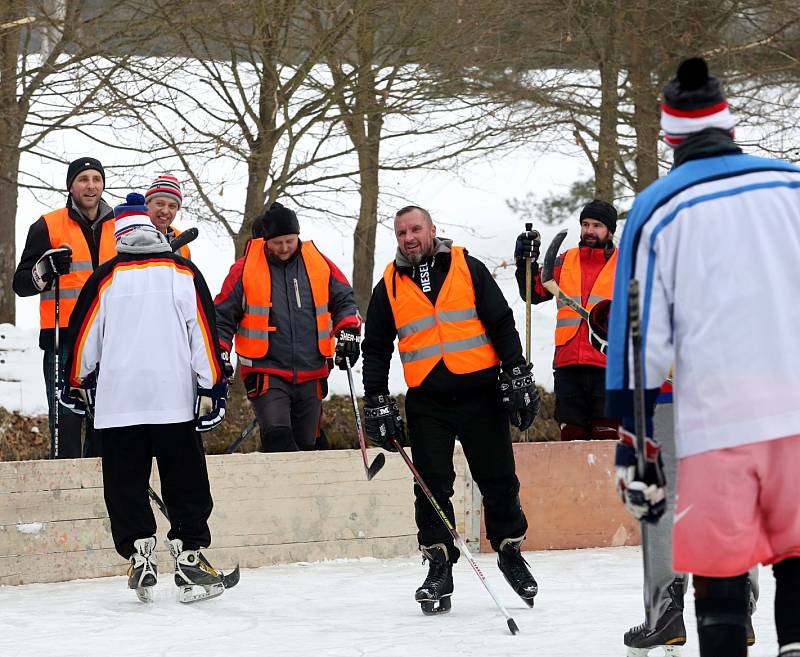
[38, 241]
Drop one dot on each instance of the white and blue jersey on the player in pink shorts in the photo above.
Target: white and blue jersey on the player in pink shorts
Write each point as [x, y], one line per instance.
[715, 246]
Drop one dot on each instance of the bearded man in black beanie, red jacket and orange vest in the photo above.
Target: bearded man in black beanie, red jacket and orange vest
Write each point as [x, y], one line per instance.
[585, 273]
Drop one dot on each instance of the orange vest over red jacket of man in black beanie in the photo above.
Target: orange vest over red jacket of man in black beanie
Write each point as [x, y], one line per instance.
[567, 320]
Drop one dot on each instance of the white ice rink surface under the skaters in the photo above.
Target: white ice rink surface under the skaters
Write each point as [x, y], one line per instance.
[587, 599]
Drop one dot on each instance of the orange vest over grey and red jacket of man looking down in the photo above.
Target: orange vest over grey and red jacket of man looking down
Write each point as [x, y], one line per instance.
[252, 337]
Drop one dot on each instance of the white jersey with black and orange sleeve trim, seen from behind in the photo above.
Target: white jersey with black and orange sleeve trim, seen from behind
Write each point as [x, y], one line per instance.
[148, 322]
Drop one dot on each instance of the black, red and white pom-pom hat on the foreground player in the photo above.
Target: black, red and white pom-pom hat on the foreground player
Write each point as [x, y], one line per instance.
[693, 101]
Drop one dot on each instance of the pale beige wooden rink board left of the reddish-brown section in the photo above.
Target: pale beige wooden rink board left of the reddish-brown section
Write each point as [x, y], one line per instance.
[268, 509]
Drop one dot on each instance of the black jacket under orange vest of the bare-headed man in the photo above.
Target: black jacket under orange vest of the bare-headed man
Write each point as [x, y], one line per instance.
[492, 308]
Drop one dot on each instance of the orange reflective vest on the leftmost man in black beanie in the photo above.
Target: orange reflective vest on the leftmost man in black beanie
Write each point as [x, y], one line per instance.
[65, 230]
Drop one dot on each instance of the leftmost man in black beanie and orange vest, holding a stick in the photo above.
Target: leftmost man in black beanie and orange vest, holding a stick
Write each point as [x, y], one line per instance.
[68, 243]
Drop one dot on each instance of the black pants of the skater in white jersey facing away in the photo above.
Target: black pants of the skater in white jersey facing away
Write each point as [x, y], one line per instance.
[127, 460]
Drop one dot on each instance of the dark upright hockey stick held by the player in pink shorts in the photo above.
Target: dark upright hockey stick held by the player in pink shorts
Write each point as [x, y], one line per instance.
[634, 321]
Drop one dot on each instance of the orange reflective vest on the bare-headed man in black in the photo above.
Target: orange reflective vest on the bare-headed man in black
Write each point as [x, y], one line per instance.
[450, 330]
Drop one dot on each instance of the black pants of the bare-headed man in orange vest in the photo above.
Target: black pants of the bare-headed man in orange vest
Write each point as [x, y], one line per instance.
[478, 419]
